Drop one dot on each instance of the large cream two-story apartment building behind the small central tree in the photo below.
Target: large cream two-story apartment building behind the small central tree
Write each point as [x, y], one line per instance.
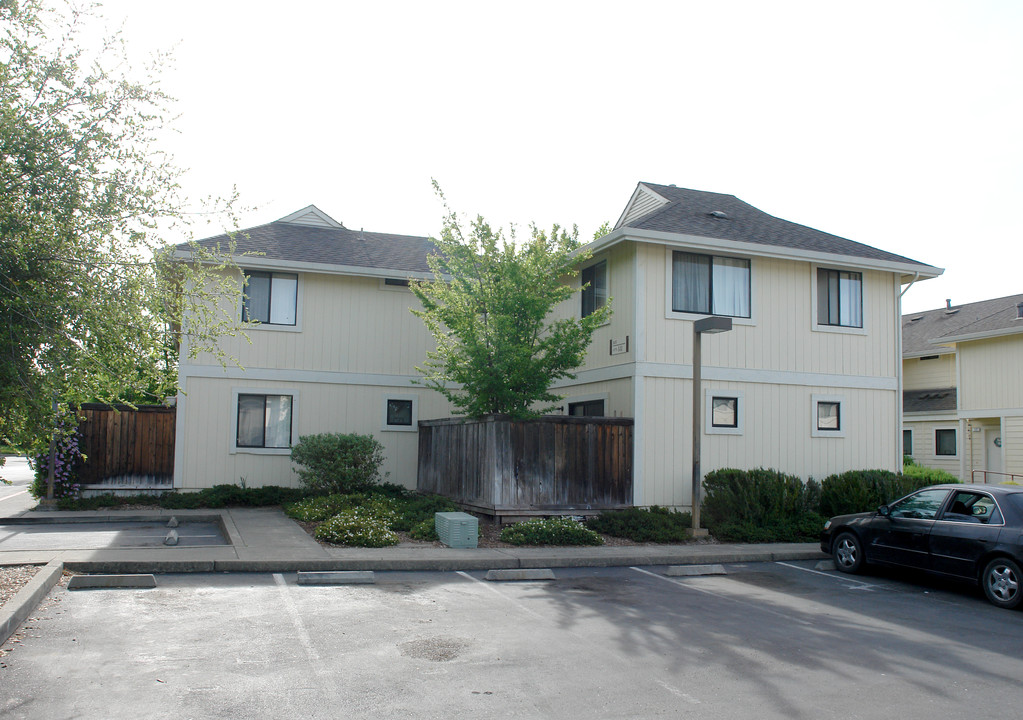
[808, 381]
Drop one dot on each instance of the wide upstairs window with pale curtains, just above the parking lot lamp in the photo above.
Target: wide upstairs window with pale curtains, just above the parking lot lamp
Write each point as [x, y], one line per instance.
[710, 285]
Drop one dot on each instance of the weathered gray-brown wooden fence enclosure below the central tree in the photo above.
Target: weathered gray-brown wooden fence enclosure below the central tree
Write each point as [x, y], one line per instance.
[549, 466]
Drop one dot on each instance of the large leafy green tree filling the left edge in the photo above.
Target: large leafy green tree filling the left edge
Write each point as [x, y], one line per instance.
[92, 307]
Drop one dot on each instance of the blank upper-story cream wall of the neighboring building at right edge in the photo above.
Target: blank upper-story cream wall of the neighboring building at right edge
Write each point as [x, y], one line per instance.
[992, 374]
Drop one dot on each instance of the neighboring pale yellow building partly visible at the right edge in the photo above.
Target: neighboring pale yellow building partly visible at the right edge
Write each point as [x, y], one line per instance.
[963, 370]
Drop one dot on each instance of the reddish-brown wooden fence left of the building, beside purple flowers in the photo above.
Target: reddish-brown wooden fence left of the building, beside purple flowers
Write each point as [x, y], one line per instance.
[126, 442]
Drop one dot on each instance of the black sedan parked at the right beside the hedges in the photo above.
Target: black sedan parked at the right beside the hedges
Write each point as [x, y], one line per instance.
[972, 532]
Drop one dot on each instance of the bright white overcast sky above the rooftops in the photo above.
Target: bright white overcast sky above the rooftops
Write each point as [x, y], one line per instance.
[896, 124]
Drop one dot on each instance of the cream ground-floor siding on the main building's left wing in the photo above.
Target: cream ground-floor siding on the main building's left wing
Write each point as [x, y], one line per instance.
[209, 413]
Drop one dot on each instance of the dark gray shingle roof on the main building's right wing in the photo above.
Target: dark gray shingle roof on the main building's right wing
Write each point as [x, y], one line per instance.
[689, 212]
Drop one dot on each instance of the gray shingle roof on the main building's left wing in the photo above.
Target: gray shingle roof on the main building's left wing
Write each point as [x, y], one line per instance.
[303, 244]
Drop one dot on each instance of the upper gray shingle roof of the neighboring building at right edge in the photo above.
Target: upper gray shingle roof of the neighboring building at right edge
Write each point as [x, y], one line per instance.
[987, 317]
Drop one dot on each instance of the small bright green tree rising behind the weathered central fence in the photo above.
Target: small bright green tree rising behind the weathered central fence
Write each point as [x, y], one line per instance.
[491, 307]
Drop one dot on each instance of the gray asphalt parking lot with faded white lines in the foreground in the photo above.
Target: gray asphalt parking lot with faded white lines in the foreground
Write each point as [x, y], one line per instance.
[767, 641]
